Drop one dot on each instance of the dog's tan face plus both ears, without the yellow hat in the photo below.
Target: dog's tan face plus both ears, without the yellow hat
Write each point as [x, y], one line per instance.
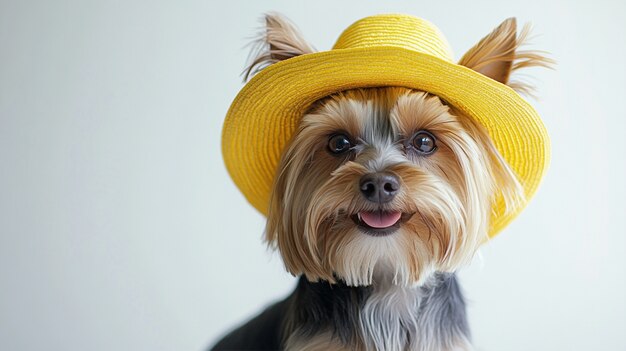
[387, 183]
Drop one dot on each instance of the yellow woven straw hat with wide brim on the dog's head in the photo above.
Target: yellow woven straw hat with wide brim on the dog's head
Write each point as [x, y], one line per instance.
[383, 50]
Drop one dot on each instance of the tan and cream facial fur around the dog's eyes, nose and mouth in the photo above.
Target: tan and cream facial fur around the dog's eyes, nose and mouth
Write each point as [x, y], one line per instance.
[449, 193]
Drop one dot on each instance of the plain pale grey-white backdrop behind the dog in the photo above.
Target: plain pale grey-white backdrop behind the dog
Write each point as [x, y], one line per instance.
[121, 230]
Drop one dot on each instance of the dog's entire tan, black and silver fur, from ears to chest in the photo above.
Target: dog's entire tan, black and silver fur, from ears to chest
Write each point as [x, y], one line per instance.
[363, 289]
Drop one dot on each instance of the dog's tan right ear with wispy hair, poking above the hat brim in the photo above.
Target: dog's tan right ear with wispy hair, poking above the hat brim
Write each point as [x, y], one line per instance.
[498, 54]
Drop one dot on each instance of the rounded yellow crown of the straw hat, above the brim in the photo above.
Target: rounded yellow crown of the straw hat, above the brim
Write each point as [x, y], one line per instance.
[396, 30]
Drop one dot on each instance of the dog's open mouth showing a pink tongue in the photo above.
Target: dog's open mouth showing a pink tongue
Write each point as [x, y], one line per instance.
[380, 223]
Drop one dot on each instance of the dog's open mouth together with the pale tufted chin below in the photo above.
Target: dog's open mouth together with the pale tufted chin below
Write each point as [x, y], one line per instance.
[379, 246]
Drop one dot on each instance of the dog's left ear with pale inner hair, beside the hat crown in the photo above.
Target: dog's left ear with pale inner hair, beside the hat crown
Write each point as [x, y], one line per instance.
[280, 40]
